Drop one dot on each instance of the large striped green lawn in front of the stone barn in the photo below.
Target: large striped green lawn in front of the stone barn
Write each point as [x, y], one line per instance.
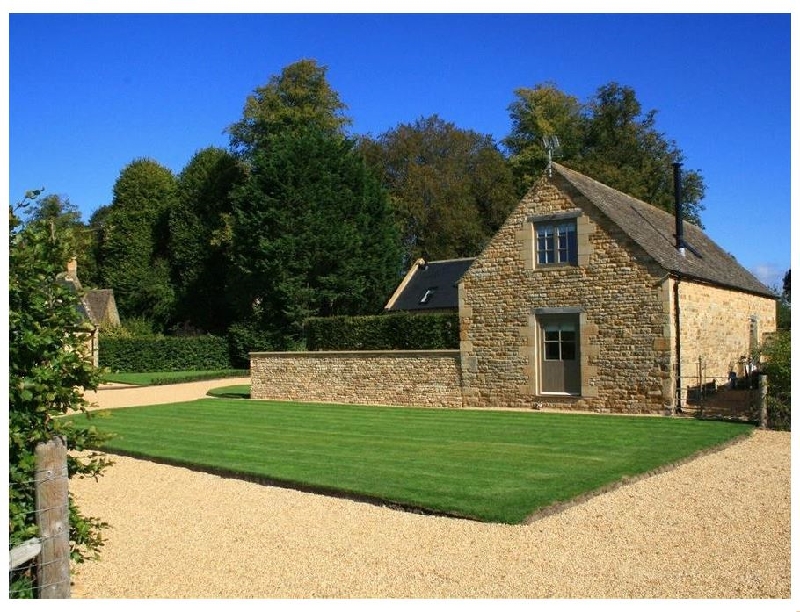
[491, 466]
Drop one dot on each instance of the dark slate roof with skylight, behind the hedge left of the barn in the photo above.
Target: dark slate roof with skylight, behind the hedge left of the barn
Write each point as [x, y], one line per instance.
[431, 285]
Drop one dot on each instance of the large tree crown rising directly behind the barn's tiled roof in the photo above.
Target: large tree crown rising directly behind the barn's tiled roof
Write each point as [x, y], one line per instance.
[610, 138]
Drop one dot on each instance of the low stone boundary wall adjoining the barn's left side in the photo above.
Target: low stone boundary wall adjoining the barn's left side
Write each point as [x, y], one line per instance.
[389, 378]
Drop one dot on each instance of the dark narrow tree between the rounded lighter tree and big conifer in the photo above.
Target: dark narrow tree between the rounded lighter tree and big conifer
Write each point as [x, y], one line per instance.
[200, 237]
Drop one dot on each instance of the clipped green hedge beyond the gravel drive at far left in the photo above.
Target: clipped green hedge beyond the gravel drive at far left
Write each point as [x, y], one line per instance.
[164, 354]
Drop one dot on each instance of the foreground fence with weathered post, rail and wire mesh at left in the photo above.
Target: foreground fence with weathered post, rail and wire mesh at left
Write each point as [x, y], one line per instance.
[39, 567]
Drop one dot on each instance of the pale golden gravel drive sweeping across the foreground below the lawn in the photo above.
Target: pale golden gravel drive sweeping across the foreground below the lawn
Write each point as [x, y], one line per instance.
[715, 527]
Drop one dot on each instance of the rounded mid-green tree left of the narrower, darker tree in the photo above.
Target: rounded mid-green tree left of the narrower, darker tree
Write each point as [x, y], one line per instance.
[133, 245]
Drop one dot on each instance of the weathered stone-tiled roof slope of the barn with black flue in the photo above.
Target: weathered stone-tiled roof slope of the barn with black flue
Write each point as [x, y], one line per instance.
[653, 229]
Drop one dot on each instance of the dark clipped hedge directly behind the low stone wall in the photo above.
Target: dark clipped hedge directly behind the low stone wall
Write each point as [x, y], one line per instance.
[381, 332]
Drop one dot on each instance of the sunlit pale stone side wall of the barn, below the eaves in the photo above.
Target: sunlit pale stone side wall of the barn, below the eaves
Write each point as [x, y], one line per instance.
[720, 328]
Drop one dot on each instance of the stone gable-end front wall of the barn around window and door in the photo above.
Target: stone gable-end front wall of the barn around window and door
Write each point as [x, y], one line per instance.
[619, 294]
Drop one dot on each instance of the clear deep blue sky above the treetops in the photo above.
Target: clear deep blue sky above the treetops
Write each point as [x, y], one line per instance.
[89, 93]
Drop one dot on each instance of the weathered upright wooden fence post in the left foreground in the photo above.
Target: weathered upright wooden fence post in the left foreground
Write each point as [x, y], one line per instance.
[52, 512]
